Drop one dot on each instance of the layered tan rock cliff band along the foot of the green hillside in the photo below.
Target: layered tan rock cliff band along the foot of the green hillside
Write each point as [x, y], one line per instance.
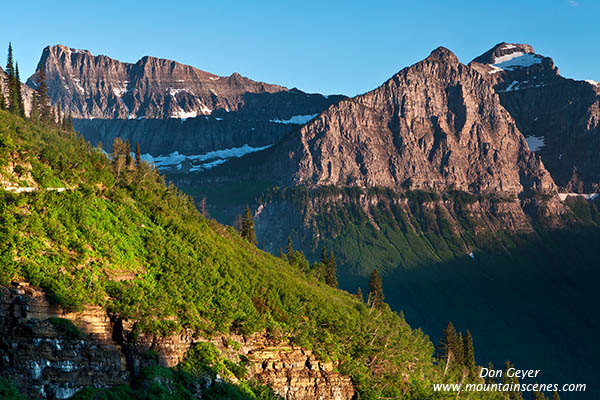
[49, 357]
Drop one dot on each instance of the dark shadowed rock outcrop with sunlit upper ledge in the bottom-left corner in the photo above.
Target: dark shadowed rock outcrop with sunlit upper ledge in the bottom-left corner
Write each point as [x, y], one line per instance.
[47, 356]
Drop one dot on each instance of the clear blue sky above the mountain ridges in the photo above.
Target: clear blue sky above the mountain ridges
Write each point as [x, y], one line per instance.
[325, 46]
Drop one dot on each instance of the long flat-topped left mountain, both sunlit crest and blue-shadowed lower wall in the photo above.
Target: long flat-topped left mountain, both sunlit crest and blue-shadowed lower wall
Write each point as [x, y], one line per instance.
[169, 107]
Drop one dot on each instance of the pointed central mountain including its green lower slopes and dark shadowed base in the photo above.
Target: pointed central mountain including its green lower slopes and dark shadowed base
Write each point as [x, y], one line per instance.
[429, 179]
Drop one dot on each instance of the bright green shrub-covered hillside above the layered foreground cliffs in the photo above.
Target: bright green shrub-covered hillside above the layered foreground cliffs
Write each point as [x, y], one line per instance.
[121, 239]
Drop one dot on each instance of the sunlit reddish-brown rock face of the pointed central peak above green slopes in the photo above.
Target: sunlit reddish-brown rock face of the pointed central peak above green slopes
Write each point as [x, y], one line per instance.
[436, 125]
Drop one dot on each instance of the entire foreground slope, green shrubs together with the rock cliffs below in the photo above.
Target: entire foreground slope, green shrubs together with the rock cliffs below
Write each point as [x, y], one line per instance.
[110, 238]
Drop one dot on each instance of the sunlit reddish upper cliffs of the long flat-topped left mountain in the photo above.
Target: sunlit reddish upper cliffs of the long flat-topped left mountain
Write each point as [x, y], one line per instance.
[101, 87]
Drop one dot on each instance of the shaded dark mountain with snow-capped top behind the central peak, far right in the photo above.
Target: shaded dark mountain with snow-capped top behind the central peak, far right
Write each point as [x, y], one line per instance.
[559, 116]
